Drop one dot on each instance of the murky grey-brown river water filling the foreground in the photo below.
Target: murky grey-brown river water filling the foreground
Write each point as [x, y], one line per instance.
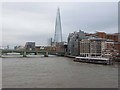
[56, 72]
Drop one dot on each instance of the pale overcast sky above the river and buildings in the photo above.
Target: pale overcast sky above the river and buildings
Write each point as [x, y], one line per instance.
[35, 21]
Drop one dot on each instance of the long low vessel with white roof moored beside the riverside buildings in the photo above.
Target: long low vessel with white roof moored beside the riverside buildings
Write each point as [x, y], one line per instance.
[95, 60]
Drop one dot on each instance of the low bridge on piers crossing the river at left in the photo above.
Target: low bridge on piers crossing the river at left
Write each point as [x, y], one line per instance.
[28, 52]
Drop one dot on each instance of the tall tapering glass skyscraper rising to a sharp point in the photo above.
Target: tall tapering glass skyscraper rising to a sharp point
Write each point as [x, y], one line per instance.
[58, 28]
